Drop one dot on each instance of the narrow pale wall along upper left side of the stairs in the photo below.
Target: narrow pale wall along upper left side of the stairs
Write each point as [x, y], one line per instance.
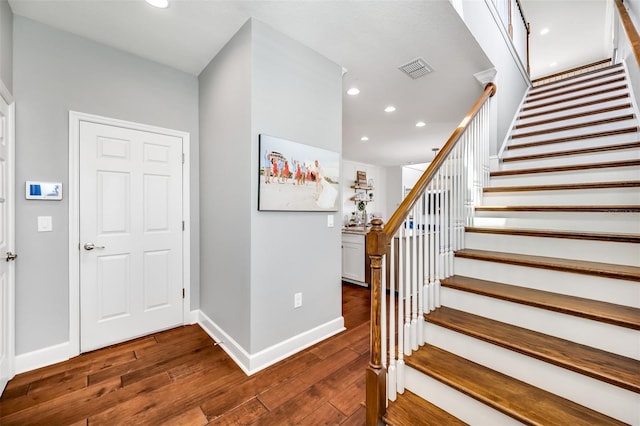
[510, 81]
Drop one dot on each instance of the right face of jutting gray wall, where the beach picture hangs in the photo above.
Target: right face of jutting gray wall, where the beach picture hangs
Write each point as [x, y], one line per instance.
[297, 95]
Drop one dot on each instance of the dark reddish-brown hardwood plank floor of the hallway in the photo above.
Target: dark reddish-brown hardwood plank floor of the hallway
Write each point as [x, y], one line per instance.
[178, 377]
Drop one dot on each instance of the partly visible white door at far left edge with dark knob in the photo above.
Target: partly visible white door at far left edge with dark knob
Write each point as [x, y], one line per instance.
[6, 245]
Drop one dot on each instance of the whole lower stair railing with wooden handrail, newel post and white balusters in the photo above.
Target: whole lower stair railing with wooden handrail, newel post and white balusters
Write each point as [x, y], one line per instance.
[414, 249]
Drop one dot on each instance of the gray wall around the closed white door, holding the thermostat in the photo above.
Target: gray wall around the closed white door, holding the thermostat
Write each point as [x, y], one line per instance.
[56, 72]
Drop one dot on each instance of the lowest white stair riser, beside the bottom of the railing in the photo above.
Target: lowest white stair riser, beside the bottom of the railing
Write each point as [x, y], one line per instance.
[456, 403]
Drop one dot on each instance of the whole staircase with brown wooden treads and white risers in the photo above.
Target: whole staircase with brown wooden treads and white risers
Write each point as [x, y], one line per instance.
[540, 323]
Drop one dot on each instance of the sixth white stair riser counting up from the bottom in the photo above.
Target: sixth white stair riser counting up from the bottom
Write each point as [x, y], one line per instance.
[589, 222]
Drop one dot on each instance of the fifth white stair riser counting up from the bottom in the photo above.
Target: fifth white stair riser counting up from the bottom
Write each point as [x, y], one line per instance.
[594, 251]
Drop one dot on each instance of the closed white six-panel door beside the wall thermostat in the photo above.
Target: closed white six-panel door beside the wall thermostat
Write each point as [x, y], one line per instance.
[130, 233]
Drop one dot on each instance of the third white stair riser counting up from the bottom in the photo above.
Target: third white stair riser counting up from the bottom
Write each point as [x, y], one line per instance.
[610, 338]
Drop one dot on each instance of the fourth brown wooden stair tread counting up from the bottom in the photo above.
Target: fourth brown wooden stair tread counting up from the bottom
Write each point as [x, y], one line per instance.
[623, 316]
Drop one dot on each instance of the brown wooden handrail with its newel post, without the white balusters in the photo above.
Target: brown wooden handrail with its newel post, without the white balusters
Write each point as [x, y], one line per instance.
[377, 242]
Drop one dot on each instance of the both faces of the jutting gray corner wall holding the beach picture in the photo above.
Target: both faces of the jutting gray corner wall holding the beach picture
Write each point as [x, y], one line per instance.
[254, 262]
